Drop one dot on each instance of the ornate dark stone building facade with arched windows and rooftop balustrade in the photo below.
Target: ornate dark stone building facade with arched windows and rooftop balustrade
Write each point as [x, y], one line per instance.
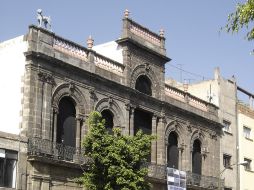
[63, 82]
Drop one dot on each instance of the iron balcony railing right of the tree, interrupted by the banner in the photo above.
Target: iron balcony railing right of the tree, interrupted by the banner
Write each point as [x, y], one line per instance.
[207, 182]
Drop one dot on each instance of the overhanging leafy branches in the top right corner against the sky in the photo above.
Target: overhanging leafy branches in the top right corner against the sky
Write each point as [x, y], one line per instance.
[242, 18]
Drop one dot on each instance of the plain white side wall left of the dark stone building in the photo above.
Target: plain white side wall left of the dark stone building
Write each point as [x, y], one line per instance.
[12, 67]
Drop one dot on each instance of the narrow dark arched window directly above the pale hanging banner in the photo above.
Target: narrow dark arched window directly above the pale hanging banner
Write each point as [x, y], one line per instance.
[172, 150]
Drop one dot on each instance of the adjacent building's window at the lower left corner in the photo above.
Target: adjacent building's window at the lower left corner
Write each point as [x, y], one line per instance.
[8, 168]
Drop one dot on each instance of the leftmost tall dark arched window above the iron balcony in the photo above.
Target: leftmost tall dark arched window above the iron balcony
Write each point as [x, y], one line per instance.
[66, 122]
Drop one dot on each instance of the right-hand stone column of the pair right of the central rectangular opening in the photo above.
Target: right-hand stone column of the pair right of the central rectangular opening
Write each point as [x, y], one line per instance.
[161, 149]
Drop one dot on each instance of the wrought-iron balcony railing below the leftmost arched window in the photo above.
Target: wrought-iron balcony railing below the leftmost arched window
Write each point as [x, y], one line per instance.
[55, 151]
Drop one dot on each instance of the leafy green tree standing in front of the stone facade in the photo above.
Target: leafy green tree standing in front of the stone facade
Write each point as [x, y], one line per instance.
[117, 159]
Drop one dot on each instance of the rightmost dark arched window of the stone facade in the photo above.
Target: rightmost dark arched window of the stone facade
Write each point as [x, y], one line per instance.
[196, 157]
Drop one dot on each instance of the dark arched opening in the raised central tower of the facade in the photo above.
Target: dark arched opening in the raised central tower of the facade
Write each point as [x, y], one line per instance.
[144, 85]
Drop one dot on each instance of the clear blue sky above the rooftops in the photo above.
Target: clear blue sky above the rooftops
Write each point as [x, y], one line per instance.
[192, 30]
